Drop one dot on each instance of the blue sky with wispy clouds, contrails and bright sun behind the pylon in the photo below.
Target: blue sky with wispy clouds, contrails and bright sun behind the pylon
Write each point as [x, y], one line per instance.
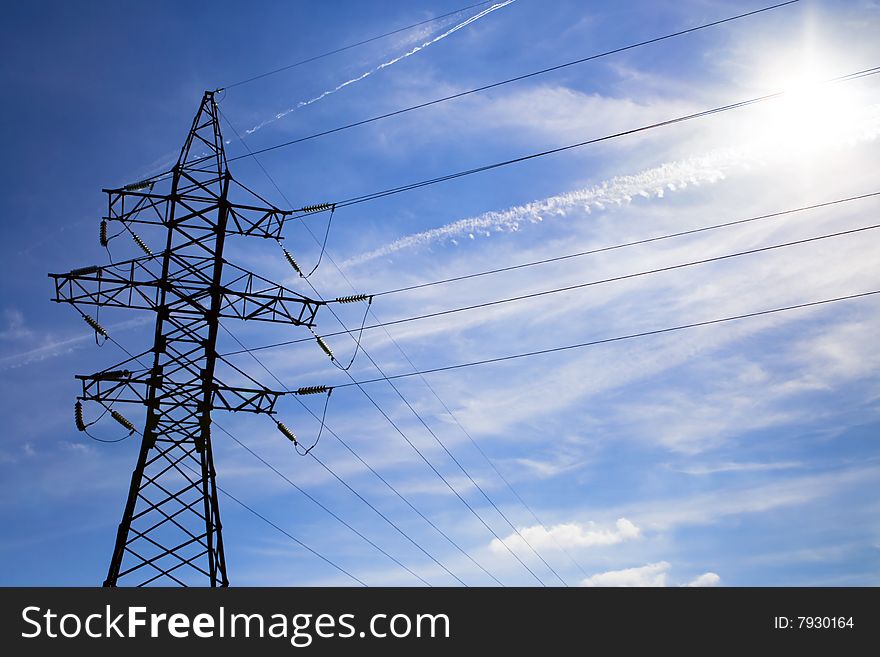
[737, 454]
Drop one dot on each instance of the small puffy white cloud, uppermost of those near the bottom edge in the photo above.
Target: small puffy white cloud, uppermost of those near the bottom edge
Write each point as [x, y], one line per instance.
[567, 535]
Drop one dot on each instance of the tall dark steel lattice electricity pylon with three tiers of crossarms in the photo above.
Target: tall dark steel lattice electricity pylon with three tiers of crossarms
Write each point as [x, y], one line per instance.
[170, 532]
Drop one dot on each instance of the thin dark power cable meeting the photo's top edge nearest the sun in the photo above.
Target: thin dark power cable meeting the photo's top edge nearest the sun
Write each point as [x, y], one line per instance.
[518, 78]
